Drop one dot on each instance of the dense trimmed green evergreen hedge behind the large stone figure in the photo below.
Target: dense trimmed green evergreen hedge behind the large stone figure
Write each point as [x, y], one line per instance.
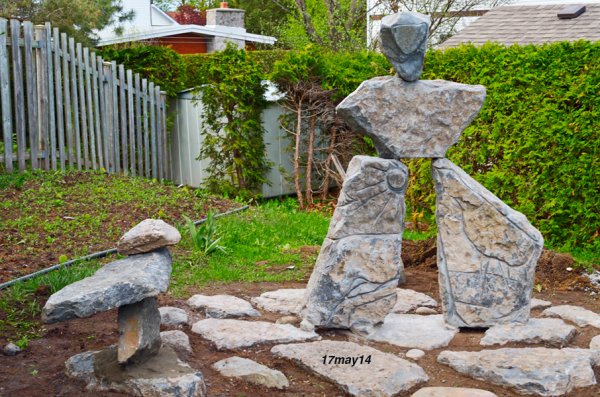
[535, 143]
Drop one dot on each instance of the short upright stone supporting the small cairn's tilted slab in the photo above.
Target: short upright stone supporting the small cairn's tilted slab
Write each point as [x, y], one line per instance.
[139, 331]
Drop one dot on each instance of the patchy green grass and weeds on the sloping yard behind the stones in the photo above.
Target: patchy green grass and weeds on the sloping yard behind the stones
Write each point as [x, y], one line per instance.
[272, 241]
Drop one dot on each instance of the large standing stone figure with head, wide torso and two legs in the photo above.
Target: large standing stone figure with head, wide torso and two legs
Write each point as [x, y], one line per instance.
[487, 251]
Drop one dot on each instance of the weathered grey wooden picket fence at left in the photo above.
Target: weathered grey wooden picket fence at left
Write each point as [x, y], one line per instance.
[64, 106]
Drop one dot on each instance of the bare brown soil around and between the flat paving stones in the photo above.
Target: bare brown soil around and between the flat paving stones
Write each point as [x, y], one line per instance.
[39, 371]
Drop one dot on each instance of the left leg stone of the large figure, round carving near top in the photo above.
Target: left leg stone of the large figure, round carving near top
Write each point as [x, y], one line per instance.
[358, 269]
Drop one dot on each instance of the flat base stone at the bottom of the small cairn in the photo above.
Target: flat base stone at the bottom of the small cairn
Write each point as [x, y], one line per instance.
[163, 375]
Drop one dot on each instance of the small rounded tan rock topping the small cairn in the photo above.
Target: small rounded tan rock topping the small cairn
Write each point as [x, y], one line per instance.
[146, 236]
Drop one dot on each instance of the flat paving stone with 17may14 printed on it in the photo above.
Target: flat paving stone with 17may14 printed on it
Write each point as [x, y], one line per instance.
[345, 364]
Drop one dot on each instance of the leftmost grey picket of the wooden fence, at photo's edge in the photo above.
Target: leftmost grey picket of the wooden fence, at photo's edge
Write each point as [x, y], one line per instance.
[5, 97]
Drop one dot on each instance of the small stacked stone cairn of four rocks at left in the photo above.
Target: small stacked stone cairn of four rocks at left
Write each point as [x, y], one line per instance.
[138, 364]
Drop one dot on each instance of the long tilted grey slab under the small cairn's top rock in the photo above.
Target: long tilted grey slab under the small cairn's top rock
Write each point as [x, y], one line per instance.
[119, 283]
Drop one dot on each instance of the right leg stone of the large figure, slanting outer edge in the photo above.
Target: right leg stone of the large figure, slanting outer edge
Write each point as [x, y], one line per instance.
[487, 252]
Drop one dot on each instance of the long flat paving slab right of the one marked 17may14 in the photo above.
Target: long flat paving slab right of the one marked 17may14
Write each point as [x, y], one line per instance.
[539, 371]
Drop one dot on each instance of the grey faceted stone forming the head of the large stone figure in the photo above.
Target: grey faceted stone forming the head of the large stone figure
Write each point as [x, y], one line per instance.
[404, 42]
